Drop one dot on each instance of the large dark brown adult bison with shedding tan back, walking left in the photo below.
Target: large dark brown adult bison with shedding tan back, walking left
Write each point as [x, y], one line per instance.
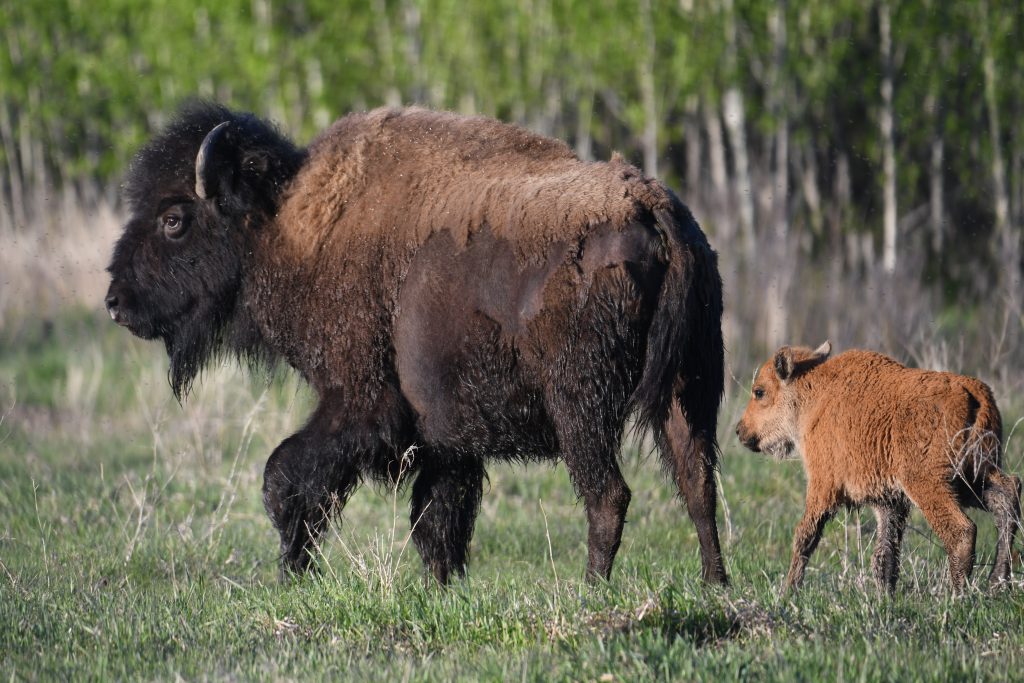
[453, 283]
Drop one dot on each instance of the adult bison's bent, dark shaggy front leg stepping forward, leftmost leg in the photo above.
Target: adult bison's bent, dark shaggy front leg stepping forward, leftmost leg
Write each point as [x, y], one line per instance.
[305, 482]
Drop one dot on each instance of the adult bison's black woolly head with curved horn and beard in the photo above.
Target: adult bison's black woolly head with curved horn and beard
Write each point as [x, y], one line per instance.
[197, 194]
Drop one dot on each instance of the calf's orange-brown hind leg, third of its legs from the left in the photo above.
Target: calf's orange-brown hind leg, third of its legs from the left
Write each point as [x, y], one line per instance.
[954, 528]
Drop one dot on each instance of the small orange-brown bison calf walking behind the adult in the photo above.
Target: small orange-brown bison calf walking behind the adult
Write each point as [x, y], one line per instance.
[874, 433]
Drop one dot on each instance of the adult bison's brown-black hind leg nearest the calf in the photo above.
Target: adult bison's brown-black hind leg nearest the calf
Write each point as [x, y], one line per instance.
[691, 457]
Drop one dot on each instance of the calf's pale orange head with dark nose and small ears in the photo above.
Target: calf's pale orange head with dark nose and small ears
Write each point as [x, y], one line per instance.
[770, 423]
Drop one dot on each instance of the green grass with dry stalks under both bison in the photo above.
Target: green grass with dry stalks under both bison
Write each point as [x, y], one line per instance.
[134, 545]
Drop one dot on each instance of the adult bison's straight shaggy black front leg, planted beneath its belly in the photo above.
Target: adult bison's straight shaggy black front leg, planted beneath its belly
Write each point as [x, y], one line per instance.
[446, 500]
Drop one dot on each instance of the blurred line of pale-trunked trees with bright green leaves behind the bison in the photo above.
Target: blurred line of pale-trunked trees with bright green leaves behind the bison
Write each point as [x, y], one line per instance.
[866, 137]
